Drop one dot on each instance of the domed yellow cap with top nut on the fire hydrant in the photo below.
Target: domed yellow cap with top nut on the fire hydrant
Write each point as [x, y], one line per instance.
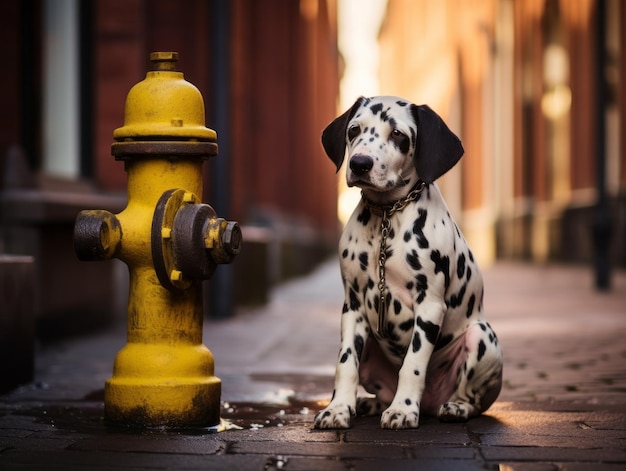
[164, 105]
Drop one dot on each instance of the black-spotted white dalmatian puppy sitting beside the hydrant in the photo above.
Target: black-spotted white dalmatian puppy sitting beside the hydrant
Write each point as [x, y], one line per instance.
[413, 332]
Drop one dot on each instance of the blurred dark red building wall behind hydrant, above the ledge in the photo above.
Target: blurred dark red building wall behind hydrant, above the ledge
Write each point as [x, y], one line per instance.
[278, 57]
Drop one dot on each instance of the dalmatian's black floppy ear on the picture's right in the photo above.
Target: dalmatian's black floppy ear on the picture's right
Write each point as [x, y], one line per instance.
[438, 148]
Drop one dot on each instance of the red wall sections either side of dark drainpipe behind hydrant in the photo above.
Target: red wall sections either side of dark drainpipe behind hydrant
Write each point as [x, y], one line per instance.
[284, 86]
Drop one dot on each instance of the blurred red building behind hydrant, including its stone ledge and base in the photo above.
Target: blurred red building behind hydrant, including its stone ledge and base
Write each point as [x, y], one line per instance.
[268, 72]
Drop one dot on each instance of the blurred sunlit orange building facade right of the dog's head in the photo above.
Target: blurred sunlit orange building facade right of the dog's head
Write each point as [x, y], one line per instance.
[535, 90]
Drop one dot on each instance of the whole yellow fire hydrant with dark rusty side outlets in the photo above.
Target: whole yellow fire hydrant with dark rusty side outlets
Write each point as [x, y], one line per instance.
[164, 375]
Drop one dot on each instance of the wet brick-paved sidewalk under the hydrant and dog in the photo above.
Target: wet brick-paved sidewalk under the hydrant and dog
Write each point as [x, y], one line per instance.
[562, 407]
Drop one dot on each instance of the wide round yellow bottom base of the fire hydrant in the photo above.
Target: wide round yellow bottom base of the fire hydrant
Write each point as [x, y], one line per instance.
[180, 402]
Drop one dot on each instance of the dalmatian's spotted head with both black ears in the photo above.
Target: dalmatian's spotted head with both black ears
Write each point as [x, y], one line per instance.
[392, 144]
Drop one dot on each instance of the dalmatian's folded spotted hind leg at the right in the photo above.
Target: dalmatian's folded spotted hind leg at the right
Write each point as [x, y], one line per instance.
[480, 377]
